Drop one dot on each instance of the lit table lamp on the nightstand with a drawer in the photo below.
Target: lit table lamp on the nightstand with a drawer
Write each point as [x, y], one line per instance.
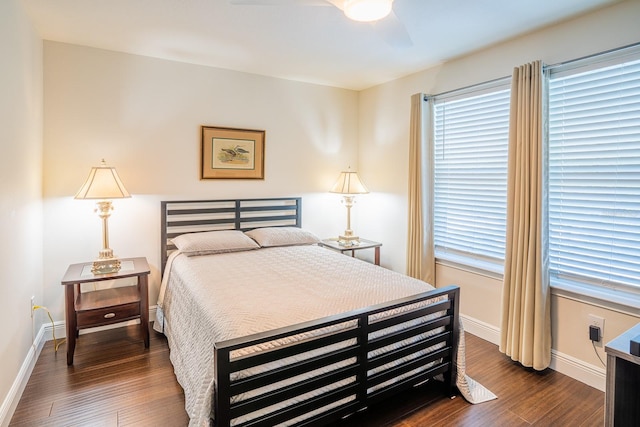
[104, 184]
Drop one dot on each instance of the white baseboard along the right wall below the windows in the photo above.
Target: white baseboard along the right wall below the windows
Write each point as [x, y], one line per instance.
[586, 373]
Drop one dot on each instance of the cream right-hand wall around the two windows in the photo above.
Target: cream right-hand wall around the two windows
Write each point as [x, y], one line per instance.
[384, 133]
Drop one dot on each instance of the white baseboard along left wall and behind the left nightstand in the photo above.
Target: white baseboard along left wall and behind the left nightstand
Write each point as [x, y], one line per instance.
[44, 334]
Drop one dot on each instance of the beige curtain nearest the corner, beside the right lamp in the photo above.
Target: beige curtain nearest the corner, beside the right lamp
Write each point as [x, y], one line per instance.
[420, 256]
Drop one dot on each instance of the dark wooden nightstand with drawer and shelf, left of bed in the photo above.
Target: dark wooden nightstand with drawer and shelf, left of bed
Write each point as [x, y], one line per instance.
[107, 306]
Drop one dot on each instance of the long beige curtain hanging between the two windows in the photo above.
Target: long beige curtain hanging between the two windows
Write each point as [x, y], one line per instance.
[526, 316]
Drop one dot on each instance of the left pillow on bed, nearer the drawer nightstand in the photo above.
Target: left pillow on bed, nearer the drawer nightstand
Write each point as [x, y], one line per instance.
[214, 242]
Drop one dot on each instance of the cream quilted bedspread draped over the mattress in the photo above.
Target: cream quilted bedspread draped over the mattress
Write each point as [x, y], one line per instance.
[207, 299]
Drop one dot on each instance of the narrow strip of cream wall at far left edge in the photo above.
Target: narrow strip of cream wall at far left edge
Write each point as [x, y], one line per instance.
[20, 193]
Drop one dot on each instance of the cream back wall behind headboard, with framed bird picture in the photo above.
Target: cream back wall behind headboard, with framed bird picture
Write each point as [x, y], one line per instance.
[143, 116]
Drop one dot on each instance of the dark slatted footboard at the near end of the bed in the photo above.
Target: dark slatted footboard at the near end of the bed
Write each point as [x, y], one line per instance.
[341, 365]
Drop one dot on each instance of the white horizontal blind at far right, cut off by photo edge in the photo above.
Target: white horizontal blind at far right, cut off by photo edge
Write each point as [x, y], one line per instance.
[594, 177]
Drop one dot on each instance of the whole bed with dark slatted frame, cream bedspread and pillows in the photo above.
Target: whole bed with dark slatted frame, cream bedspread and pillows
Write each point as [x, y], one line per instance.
[288, 332]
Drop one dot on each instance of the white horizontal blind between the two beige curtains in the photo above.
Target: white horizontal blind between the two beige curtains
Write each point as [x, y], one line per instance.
[471, 143]
